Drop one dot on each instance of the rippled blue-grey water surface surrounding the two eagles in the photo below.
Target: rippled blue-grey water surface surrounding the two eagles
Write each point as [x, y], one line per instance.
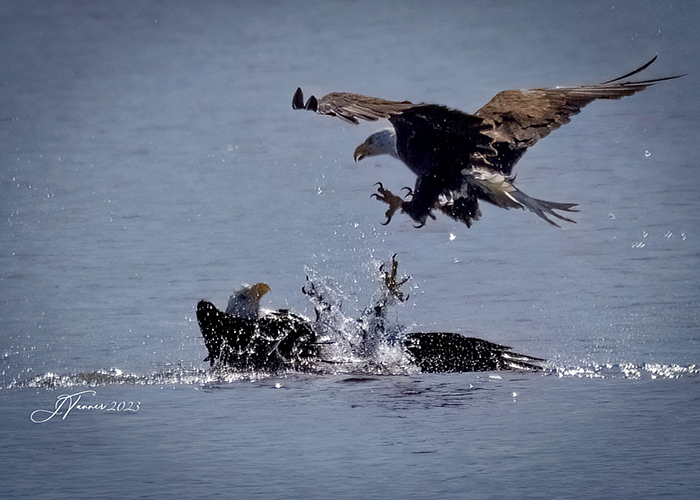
[149, 158]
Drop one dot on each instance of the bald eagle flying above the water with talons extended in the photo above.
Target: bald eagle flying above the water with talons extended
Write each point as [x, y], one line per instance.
[461, 158]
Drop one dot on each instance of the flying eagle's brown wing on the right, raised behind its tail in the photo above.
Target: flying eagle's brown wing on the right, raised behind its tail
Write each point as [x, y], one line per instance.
[522, 117]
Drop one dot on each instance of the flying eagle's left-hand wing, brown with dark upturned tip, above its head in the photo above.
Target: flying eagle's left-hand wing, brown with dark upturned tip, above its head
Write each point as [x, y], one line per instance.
[350, 107]
